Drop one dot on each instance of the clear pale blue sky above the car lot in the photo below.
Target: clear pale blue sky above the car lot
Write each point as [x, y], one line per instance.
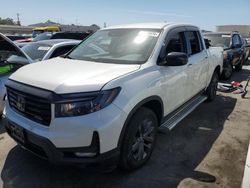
[204, 13]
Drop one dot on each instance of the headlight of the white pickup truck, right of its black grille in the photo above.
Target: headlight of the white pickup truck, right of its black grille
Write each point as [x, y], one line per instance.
[86, 105]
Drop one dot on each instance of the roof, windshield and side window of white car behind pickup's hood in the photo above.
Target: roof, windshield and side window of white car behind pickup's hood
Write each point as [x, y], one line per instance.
[48, 49]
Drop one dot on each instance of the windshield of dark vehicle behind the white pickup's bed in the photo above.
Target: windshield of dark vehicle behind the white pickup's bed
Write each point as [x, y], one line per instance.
[219, 40]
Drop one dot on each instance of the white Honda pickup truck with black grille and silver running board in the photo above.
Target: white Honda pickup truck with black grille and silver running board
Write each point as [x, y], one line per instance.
[105, 100]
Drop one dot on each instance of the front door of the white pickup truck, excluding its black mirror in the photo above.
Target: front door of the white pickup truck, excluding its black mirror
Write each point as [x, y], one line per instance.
[174, 80]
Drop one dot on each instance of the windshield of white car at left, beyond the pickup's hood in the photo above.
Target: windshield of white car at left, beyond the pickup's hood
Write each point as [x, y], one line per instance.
[36, 51]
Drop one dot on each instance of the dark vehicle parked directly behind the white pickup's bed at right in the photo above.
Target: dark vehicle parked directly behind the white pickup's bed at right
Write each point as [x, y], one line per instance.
[233, 50]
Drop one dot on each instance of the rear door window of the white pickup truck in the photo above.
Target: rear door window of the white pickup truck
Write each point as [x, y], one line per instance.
[193, 42]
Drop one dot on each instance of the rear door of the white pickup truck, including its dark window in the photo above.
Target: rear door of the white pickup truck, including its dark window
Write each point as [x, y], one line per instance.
[198, 64]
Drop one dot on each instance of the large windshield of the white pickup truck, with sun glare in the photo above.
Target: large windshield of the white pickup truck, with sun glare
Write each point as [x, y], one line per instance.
[126, 46]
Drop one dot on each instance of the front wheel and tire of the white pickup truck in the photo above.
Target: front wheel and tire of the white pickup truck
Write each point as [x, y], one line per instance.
[139, 139]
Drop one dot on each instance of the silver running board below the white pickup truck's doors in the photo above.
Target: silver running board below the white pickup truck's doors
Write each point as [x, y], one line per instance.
[174, 118]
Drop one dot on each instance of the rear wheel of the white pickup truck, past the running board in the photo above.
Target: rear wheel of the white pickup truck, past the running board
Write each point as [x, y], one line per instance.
[212, 88]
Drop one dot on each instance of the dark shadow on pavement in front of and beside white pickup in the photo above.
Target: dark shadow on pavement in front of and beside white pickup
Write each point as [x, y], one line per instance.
[176, 156]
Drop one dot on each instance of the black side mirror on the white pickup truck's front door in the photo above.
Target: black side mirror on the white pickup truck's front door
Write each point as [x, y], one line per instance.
[175, 59]
